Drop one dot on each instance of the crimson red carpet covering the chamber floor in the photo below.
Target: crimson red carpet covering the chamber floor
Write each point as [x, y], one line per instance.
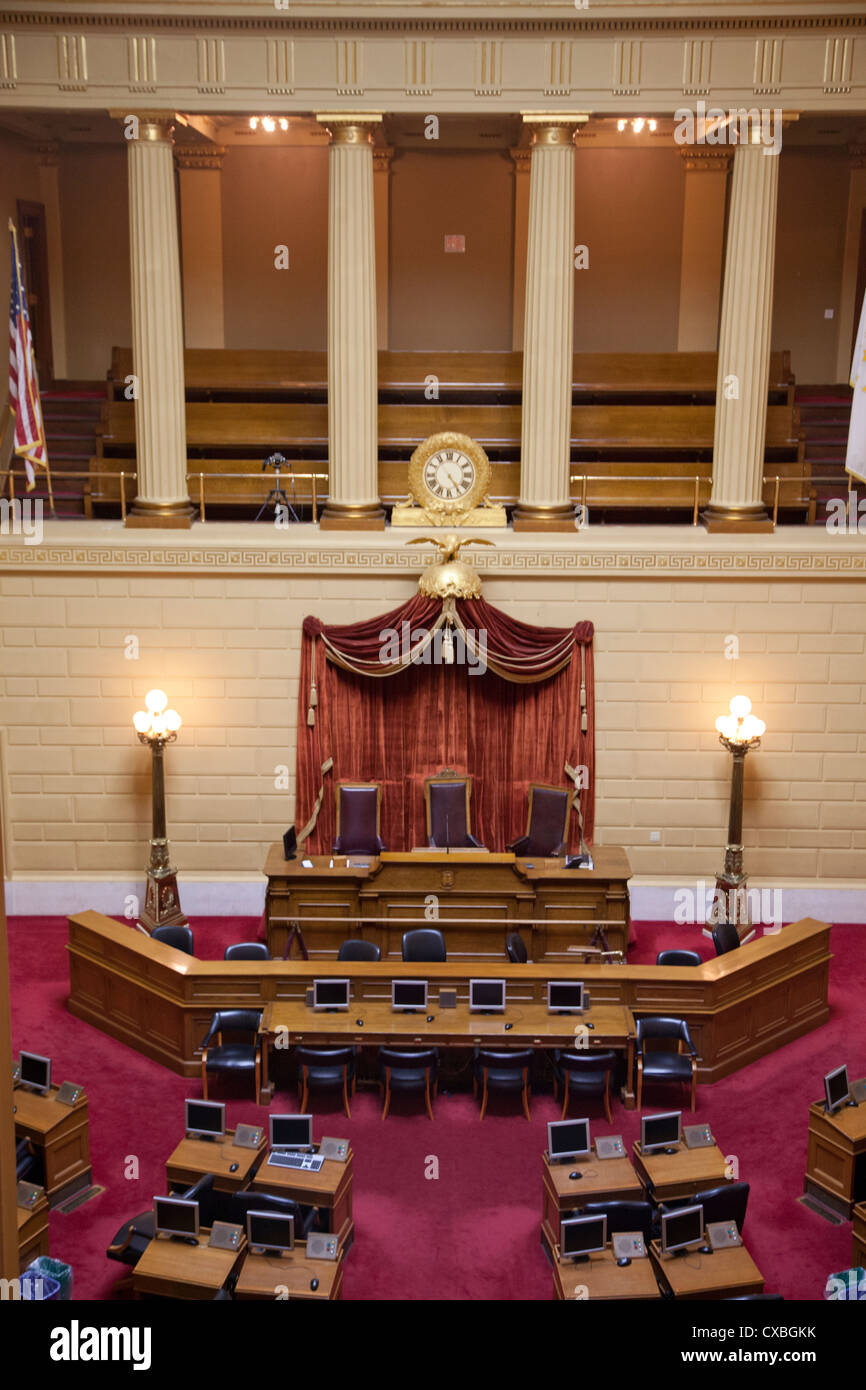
[473, 1232]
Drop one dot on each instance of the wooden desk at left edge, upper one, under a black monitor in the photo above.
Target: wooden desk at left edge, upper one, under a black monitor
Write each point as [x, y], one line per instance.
[62, 1135]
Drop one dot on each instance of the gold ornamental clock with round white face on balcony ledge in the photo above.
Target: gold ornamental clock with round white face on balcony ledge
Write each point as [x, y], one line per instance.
[450, 477]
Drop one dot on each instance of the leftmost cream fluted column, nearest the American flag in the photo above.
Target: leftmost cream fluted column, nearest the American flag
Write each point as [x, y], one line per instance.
[158, 330]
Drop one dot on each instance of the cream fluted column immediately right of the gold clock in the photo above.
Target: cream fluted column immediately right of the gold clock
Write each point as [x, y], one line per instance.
[550, 330]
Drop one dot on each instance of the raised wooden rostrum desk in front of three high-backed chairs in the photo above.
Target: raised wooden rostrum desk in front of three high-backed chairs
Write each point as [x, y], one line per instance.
[372, 897]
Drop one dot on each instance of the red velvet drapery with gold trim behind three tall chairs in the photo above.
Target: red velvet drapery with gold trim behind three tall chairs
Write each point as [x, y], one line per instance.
[515, 723]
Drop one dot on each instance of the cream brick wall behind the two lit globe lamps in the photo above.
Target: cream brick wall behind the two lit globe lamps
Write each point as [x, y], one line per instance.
[226, 648]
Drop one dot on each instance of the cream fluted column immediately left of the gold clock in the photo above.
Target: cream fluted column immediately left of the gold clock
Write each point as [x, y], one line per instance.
[354, 491]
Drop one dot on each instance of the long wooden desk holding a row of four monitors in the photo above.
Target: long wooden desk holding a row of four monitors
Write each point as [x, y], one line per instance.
[532, 1027]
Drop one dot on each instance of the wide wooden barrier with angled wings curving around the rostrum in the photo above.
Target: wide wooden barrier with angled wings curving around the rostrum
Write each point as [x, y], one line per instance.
[161, 1001]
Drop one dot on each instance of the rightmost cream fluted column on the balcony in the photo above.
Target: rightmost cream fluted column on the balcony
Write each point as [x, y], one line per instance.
[744, 347]
